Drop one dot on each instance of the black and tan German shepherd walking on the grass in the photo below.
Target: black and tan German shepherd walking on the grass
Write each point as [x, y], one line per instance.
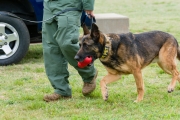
[129, 54]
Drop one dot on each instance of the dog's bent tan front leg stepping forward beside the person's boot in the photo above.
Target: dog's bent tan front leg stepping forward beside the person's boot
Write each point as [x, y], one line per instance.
[106, 80]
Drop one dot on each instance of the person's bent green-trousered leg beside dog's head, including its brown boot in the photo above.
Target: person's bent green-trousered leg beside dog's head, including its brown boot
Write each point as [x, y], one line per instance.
[67, 36]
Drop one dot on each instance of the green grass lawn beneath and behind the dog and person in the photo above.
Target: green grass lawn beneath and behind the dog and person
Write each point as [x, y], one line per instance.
[23, 86]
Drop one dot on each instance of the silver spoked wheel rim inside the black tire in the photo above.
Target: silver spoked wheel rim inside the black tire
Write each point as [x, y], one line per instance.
[9, 40]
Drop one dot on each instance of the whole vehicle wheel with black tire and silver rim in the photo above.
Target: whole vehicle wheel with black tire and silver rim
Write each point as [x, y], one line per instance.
[14, 40]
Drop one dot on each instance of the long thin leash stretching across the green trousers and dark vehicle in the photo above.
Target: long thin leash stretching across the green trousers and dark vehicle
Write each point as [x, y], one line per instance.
[59, 13]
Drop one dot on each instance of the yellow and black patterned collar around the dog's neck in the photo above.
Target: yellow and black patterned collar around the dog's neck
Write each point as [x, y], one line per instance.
[106, 47]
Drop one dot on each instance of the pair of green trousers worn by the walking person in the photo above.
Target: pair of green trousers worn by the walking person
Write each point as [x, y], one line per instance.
[60, 44]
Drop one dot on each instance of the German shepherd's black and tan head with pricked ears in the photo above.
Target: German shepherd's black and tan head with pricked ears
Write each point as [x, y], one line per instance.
[91, 44]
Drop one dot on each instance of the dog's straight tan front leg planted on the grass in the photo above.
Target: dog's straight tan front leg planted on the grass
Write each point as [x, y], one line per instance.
[139, 84]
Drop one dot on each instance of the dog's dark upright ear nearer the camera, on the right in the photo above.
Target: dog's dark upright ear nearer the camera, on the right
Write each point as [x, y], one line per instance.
[95, 33]
